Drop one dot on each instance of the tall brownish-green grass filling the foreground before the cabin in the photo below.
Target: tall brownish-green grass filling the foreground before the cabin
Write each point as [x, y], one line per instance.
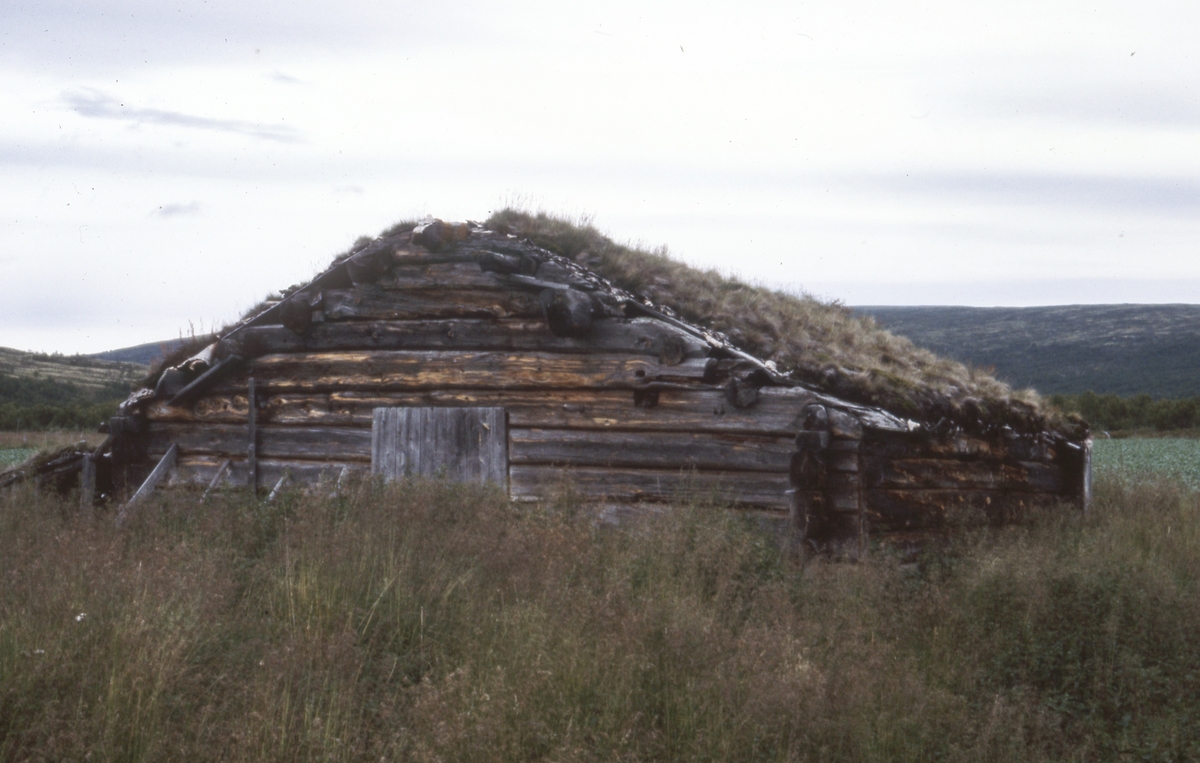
[428, 622]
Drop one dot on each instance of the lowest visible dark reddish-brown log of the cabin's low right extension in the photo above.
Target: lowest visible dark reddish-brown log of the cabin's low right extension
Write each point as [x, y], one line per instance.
[914, 510]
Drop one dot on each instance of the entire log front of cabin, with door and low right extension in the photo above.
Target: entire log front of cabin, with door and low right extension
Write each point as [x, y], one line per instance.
[452, 350]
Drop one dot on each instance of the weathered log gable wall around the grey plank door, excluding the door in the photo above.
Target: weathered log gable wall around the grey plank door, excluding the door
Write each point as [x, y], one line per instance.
[634, 410]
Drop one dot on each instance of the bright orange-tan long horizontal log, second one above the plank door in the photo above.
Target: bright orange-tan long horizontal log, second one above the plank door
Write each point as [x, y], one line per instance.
[405, 370]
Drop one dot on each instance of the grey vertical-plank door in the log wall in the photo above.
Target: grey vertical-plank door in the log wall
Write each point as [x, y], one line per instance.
[461, 444]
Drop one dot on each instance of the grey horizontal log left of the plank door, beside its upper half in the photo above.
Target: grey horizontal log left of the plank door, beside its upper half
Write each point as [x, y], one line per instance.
[274, 442]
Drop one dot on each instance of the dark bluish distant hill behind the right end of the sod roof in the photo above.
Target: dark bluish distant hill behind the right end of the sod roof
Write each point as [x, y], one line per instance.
[1120, 350]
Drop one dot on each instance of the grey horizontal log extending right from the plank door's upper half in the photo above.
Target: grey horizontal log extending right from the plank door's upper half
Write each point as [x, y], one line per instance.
[655, 450]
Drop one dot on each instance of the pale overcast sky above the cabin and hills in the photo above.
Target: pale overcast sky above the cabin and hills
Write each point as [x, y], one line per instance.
[165, 165]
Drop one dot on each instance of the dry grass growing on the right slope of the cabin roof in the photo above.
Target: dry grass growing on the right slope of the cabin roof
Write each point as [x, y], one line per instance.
[824, 345]
